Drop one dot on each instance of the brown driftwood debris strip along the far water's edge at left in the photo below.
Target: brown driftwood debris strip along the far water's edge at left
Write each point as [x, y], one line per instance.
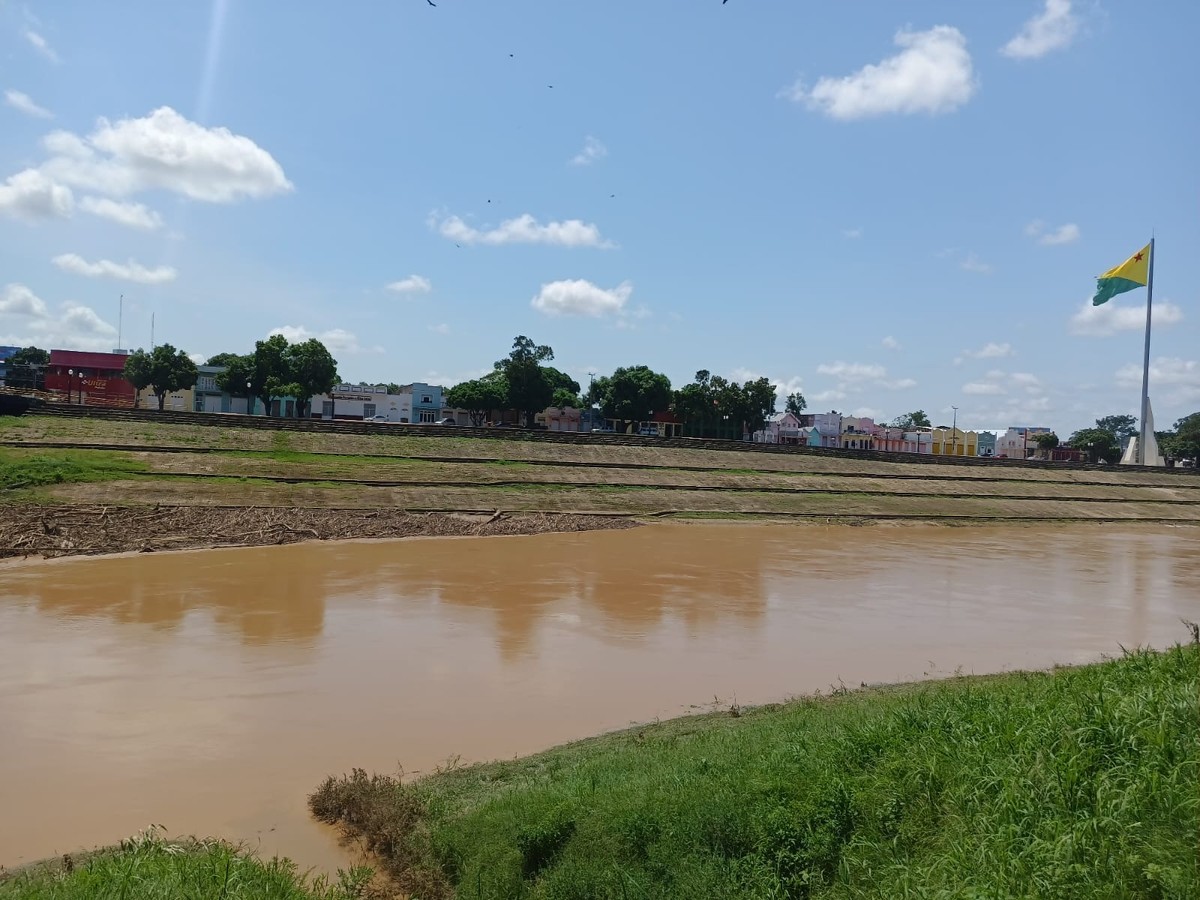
[73, 531]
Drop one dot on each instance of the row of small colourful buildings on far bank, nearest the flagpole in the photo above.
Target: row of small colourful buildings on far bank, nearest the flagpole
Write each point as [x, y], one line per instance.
[849, 433]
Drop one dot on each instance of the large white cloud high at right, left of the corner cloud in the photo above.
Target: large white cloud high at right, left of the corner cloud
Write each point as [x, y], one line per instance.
[931, 75]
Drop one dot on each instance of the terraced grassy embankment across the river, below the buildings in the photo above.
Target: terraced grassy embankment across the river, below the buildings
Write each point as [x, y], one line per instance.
[68, 473]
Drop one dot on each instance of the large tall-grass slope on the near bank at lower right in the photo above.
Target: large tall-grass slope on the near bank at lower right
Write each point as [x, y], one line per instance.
[1077, 783]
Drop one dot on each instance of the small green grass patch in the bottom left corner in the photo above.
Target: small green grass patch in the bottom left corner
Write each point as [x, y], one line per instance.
[151, 868]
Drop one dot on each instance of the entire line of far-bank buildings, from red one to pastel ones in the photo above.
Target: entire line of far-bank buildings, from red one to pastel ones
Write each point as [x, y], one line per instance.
[98, 380]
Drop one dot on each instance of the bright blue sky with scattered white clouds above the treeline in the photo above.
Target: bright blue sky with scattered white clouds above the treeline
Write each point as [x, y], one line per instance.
[887, 206]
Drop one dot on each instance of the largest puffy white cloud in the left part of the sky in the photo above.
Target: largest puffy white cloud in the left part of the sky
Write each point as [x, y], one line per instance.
[164, 152]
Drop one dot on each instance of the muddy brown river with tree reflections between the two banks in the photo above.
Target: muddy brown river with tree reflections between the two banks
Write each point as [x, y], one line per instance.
[212, 692]
